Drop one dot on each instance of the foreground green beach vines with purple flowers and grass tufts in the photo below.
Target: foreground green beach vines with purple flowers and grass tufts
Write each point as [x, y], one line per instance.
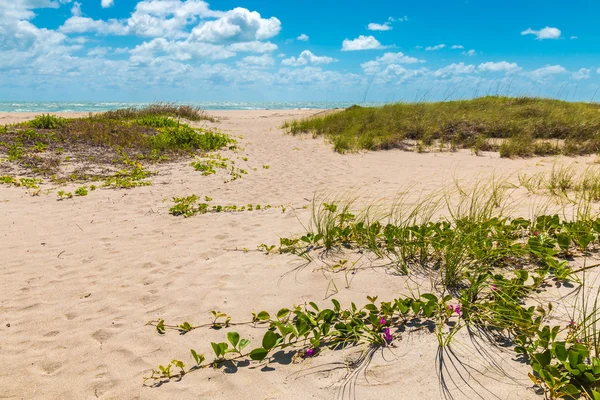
[487, 271]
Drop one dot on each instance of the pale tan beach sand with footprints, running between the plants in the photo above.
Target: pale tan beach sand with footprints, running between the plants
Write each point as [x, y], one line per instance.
[80, 278]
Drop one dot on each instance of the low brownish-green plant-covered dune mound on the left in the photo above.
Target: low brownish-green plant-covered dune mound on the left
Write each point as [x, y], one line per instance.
[116, 146]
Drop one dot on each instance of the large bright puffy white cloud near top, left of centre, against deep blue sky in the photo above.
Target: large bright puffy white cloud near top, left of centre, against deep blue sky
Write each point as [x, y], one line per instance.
[237, 25]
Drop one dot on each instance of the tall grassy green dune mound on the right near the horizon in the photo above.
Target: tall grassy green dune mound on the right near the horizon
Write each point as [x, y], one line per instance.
[513, 126]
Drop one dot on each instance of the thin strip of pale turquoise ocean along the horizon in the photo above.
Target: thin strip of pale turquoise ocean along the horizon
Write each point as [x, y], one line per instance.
[54, 106]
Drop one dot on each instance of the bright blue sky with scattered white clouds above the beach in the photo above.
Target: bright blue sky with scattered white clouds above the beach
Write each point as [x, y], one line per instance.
[274, 50]
